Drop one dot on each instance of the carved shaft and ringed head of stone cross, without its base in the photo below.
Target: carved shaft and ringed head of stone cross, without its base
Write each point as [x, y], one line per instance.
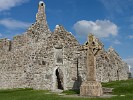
[93, 46]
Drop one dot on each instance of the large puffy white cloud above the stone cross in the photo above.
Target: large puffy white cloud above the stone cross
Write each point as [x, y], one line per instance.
[101, 28]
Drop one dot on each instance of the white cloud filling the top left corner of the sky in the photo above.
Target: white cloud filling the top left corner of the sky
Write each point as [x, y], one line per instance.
[8, 4]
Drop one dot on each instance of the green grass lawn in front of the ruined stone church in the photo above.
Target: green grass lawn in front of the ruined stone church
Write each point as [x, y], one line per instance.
[120, 88]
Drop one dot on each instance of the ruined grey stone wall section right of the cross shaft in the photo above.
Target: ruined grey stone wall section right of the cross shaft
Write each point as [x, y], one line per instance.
[110, 66]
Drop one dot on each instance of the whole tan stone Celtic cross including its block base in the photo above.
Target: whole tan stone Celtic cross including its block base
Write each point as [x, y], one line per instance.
[91, 87]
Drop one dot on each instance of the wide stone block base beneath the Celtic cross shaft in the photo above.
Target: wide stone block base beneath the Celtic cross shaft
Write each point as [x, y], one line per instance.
[91, 88]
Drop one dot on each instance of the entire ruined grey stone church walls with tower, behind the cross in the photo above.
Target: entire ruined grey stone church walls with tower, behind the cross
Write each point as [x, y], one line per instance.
[42, 59]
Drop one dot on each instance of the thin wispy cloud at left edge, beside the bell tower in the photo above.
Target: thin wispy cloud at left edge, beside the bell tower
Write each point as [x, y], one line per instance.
[14, 24]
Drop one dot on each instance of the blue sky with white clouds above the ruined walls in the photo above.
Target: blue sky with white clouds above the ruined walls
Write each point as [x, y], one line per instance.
[110, 20]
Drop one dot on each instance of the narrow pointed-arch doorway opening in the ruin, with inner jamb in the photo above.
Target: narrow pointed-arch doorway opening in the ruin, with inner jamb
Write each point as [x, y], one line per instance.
[59, 79]
